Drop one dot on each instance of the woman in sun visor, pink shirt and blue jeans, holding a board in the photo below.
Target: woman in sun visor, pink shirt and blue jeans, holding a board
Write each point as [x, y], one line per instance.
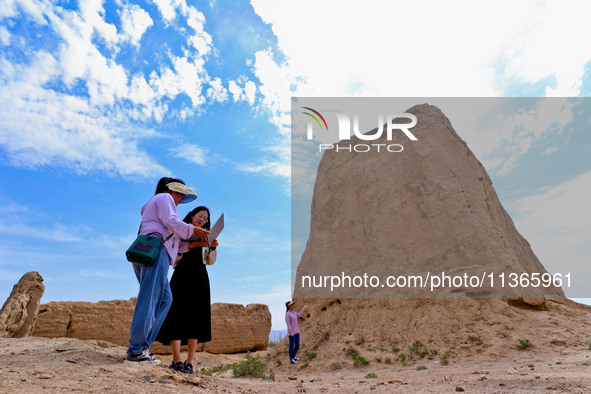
[159, 215]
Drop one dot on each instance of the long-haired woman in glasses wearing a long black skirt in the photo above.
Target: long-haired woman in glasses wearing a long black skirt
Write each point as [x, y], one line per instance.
[189, 318]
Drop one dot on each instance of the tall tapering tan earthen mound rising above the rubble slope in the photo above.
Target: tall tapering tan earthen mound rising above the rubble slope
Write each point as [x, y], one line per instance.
[428, 210]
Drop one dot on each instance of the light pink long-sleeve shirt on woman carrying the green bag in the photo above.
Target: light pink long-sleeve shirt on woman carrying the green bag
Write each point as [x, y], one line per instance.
[160, 215]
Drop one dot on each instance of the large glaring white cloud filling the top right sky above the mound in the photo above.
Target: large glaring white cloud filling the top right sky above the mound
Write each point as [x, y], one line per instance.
[421, 49]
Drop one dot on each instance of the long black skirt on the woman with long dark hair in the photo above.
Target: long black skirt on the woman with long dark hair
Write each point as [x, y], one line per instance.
[190, 313]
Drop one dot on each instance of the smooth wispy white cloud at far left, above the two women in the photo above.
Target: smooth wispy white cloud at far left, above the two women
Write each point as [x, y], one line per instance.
[80, 137]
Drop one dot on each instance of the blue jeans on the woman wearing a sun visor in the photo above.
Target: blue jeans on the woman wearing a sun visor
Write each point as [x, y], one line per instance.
[153, 302]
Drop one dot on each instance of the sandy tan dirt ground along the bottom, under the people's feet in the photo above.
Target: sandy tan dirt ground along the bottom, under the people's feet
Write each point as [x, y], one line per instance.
[32, 364]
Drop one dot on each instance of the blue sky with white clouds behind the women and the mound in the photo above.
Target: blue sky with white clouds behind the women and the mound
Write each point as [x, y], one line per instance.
[99, 99]
